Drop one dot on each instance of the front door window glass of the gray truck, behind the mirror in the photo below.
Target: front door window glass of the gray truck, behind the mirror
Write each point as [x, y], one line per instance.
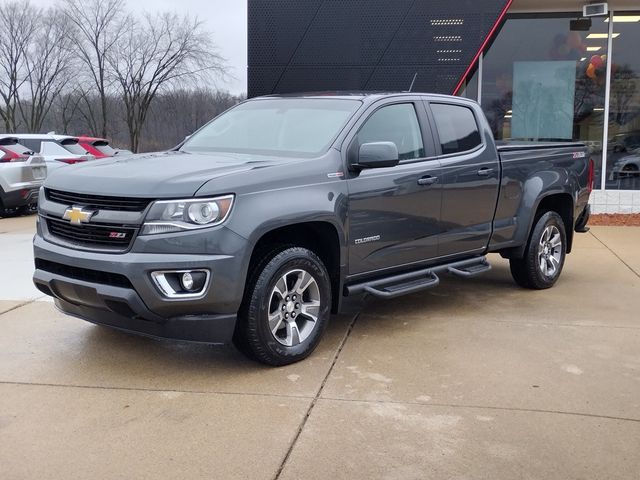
[397, 124]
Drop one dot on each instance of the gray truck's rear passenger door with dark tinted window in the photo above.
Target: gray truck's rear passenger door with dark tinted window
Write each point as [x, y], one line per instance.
[469, 177]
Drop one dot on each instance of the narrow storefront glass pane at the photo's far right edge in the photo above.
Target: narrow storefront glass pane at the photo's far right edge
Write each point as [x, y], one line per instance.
[623, 145]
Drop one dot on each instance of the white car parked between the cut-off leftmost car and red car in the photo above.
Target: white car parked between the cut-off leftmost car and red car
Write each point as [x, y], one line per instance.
[57, 150]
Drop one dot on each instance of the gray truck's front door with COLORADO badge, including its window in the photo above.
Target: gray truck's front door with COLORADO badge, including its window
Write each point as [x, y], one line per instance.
[394, 211]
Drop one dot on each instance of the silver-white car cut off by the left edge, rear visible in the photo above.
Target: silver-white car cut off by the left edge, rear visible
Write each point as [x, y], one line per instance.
[21, 175]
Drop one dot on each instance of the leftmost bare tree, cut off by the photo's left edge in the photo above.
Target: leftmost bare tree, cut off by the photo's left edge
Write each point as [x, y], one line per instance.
[17, 24]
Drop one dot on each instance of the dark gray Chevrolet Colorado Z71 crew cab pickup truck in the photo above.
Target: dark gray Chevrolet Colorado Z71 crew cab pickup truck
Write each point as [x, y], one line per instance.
[269, 217]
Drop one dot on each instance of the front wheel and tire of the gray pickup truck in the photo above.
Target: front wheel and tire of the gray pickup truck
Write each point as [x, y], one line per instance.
[286, 307]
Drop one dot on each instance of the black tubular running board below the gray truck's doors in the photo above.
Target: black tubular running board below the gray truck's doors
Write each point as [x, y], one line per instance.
[405, 283]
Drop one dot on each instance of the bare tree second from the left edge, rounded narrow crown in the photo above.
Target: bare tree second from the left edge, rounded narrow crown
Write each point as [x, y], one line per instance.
[49, 61]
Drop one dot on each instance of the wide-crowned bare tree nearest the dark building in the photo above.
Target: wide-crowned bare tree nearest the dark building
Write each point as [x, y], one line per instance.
[160, 51]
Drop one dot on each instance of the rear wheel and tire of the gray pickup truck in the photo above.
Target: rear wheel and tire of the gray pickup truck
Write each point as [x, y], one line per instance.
[543, 259]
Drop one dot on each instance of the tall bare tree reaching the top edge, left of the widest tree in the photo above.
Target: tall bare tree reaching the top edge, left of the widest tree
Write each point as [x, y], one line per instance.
[97, 26]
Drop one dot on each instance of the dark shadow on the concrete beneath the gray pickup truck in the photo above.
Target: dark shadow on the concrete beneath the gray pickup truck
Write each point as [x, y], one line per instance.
[115, 353]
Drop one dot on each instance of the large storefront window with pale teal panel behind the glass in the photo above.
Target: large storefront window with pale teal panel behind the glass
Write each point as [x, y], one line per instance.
[542, 81]
